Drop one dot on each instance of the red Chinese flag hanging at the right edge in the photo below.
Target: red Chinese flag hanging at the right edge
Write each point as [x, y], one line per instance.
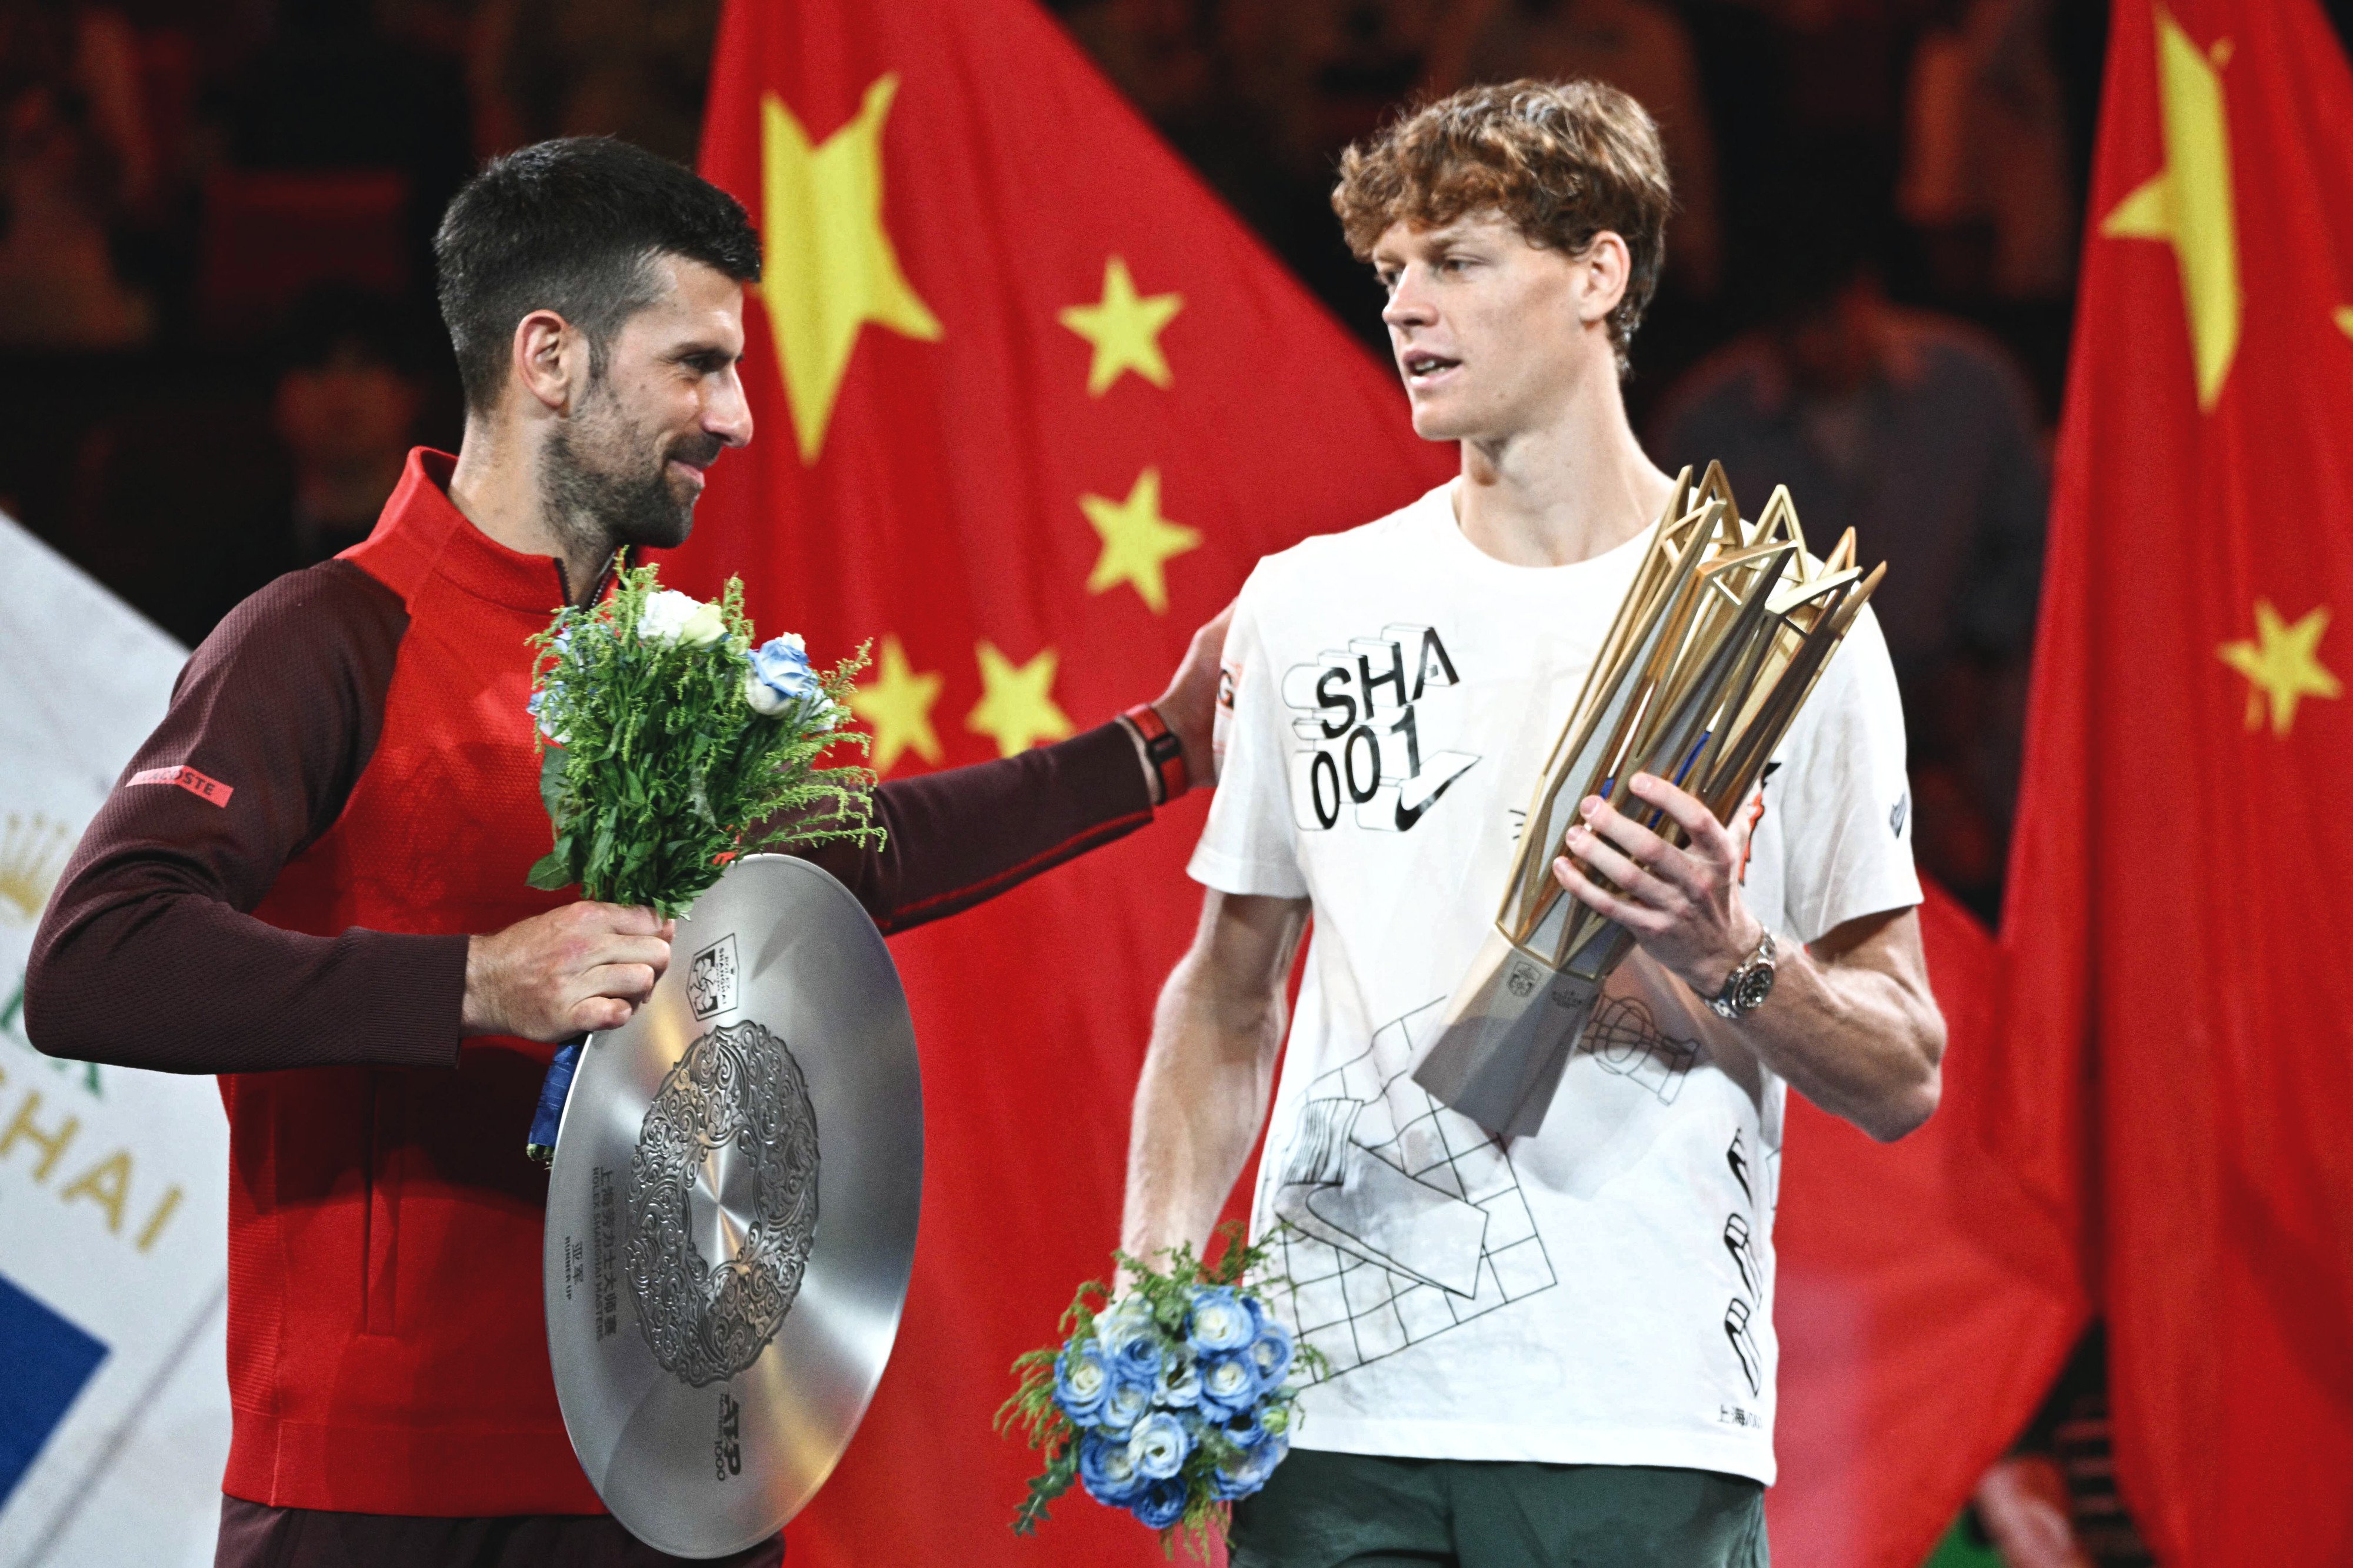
[2180, 1037]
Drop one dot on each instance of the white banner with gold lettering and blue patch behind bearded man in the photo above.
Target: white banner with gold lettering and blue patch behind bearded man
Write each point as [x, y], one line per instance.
[114, 1185]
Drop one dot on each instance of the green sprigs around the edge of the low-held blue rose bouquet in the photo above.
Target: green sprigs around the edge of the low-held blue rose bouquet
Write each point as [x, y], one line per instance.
[1168, 1294]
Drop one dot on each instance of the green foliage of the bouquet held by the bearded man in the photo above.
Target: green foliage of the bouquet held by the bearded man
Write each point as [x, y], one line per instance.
[662, 771]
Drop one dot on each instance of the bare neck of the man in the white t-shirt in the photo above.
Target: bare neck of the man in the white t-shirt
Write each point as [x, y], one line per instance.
[1561, 493]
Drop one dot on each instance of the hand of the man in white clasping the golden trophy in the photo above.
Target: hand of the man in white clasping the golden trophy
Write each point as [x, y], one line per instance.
[1684, 905]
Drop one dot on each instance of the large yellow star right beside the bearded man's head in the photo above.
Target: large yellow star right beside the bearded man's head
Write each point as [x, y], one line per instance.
[829, 267]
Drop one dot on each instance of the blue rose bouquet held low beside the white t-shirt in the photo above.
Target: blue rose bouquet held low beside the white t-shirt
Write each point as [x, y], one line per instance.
[1168, 1402]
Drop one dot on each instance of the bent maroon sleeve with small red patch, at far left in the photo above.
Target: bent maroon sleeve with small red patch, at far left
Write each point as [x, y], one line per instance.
[147, 955]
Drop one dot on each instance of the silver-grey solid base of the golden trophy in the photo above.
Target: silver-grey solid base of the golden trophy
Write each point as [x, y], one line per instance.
[1505, 1039]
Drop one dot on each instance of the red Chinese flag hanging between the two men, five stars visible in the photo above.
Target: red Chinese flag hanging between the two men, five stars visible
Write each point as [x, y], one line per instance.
[1029, 406]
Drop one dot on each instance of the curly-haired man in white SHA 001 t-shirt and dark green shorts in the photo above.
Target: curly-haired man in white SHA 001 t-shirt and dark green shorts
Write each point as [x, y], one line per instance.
[1559, 1350]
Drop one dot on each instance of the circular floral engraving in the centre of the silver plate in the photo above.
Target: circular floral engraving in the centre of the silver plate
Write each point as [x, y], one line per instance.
[733, 1087]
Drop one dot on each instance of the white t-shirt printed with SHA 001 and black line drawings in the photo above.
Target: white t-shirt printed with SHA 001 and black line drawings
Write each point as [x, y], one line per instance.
[1599, 1294]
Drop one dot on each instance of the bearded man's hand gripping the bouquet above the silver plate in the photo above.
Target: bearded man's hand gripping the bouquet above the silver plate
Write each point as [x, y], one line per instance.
[564, 974]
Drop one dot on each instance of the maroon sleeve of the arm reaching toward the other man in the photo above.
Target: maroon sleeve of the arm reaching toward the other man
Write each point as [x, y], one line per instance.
[968, 835]
